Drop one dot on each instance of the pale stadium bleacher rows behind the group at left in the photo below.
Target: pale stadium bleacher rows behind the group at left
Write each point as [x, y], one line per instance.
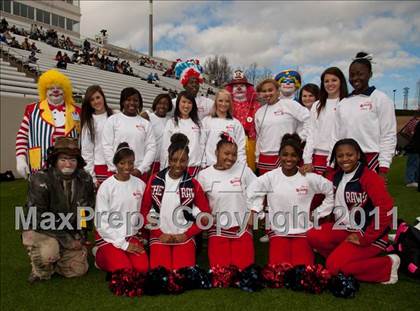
[82, 76]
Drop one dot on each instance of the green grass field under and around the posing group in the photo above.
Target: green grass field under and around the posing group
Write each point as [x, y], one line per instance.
[90, 292]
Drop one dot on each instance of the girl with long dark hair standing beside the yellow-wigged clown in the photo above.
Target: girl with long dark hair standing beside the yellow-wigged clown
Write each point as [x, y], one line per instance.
[95, 112]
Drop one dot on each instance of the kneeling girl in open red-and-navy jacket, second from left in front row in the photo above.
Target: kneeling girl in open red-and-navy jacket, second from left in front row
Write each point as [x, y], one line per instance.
[172, 200]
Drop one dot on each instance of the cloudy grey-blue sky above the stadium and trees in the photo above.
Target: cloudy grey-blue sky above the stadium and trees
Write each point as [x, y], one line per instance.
[310, 36]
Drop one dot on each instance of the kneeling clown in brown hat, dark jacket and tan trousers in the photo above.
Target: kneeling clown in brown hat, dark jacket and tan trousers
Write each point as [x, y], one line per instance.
[59, 190]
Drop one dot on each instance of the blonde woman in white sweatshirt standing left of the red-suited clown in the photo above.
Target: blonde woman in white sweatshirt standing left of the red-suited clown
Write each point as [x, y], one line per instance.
[221, 120]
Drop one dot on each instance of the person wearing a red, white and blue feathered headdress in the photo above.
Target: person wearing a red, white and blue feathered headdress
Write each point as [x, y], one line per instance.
[190, 75]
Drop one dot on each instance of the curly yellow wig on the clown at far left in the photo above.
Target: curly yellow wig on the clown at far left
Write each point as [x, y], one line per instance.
[54, 77]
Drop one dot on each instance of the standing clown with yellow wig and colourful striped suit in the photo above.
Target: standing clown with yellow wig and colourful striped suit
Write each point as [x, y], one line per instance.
[53, 116]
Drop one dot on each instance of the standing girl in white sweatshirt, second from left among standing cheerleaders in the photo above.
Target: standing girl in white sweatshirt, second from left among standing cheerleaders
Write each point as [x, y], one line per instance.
[128, 126]
